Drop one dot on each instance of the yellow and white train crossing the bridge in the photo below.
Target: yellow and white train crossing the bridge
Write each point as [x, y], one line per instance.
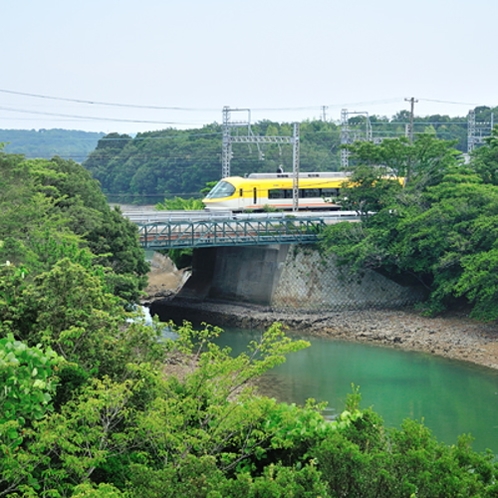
[260, 191]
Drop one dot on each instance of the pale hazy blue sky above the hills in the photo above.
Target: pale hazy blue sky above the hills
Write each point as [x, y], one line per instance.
[178, 62]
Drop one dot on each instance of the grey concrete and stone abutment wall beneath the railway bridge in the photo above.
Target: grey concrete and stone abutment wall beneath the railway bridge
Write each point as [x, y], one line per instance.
[289, 277]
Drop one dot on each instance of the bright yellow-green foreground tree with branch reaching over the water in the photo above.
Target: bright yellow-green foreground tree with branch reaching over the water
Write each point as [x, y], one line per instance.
[199, 416]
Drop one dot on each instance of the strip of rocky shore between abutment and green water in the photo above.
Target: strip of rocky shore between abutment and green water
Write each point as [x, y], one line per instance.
[453, 336]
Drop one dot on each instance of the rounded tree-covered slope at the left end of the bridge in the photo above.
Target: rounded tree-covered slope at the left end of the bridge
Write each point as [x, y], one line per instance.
[54, 209]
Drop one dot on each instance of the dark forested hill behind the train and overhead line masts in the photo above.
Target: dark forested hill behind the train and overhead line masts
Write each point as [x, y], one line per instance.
[168, 163]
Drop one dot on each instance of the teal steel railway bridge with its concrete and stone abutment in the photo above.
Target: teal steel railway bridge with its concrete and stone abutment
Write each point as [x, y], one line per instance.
[266, 259]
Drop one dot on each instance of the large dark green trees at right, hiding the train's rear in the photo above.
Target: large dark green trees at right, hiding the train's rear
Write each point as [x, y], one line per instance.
[438, 232]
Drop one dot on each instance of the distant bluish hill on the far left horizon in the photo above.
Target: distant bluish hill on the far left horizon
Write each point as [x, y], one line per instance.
[68, 144]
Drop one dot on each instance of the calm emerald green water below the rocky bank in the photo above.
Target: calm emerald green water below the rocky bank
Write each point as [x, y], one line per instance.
[451, 397]
